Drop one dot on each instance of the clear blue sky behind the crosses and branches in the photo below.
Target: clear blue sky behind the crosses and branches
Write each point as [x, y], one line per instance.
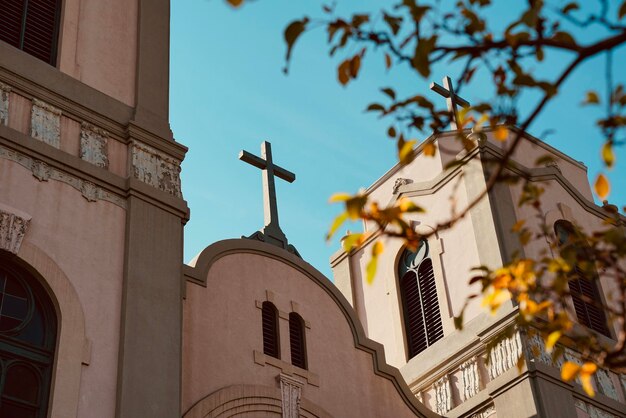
[228, 93]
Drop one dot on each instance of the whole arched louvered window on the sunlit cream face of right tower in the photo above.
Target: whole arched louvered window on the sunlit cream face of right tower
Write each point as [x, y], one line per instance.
[422, 319]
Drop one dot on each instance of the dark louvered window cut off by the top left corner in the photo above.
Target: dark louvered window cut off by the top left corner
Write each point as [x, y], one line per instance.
[32, 26]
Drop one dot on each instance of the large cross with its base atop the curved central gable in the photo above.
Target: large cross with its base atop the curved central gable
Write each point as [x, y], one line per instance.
[271, 232]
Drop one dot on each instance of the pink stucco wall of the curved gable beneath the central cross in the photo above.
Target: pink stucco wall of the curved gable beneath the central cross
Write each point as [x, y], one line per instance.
[222, 332]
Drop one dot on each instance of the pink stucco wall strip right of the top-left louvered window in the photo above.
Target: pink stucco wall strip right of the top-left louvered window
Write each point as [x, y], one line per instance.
[98, 45]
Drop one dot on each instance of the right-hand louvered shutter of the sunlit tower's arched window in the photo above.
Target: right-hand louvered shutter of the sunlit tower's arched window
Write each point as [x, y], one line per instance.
[430, 303]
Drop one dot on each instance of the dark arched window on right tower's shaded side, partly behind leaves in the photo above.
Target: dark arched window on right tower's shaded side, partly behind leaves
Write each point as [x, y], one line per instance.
[582, 285]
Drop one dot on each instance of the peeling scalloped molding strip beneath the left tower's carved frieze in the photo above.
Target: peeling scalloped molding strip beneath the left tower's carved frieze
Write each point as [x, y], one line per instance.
[43, 172]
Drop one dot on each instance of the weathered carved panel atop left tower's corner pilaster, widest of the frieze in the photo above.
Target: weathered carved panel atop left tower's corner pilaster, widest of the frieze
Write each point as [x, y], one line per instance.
[156, 168]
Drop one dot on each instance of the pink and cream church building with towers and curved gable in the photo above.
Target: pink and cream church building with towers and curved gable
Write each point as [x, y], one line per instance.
[100, 317]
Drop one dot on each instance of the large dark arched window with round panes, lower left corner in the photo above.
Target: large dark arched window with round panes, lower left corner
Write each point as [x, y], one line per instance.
[27, 341]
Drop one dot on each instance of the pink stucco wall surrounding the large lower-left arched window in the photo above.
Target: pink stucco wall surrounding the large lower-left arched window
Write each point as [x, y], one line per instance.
[86, 241]
